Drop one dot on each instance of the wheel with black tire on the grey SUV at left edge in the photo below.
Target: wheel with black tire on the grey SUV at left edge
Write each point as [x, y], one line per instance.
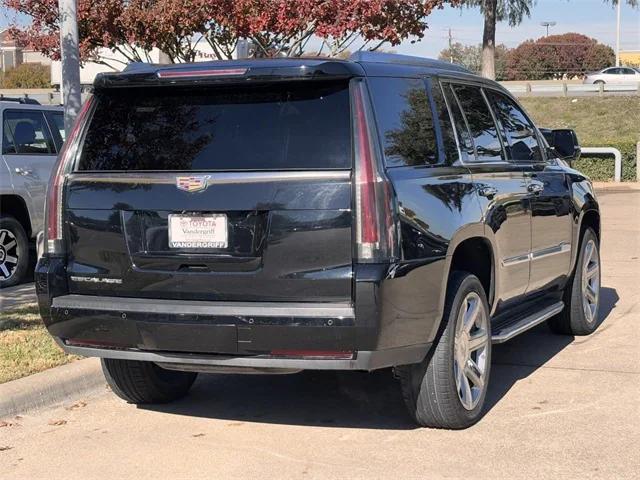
[12, 234]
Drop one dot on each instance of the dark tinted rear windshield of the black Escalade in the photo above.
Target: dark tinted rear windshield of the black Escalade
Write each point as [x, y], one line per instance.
[263, 127]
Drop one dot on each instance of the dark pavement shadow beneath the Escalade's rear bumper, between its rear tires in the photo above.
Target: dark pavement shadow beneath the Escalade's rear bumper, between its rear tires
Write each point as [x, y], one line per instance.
[310, 398]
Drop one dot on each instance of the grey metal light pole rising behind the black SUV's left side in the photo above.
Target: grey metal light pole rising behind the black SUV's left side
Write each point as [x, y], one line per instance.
[70, 57]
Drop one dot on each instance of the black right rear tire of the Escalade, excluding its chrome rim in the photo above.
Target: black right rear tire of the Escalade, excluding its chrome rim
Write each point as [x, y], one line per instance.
[429, 388]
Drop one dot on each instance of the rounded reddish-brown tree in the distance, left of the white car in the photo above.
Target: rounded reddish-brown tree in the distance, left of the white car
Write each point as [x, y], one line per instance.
[556, 56]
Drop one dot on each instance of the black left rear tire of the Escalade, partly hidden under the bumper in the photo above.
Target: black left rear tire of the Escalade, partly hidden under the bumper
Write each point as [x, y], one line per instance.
[145, 382]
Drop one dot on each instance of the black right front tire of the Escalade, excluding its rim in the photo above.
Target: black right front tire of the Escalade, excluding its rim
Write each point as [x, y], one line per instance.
[573, 320]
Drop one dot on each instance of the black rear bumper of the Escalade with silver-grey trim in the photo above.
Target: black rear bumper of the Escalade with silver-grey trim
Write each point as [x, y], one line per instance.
[219, 336]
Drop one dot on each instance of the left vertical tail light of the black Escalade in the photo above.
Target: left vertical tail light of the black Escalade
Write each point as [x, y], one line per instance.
[53, 209]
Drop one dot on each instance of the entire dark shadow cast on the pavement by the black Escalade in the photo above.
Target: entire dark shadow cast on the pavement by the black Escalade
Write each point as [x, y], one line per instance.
[353, 399]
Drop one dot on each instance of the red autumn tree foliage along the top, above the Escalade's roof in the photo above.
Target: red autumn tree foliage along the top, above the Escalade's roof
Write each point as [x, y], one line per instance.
[177, 27]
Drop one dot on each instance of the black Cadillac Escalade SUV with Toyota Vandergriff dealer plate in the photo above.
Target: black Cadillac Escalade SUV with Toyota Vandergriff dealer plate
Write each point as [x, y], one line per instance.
[287, 214]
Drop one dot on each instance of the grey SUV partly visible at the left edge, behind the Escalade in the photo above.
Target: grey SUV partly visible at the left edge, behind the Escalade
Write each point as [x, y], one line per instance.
[32, 135]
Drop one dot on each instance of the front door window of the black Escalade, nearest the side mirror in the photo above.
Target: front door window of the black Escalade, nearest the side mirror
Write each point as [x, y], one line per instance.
[521, 134]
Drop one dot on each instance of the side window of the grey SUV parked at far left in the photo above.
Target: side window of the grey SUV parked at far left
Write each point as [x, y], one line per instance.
[28, 133]
